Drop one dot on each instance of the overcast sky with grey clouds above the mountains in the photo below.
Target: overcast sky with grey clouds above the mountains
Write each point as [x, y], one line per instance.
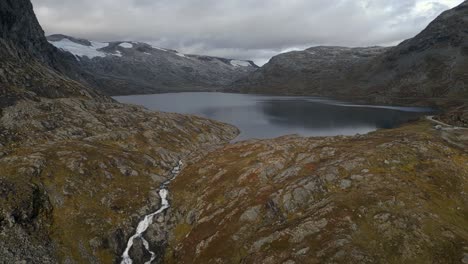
[241, 29]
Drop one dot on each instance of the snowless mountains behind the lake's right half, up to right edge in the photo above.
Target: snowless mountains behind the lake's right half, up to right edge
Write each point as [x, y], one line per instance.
[430, 67]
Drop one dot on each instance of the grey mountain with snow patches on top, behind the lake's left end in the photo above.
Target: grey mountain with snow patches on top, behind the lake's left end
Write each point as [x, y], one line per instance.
[119, 68]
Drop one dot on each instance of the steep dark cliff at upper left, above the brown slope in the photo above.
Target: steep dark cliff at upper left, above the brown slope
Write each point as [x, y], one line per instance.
[29, 65]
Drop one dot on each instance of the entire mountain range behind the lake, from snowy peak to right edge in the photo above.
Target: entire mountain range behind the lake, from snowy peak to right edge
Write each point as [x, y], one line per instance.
[431, 68]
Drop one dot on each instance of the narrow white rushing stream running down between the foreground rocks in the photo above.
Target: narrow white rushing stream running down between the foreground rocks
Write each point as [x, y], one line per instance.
[148, 219]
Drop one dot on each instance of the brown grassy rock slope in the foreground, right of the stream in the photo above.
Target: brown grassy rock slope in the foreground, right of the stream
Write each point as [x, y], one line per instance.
[393, 195]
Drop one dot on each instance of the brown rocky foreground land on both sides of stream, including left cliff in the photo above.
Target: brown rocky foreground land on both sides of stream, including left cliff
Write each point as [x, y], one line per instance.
[78, 173]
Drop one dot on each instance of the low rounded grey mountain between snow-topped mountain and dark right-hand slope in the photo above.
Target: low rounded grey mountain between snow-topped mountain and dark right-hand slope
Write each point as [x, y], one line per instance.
[321, 71]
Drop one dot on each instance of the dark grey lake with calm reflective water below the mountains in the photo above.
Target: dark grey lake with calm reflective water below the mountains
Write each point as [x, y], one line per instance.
[259, 116]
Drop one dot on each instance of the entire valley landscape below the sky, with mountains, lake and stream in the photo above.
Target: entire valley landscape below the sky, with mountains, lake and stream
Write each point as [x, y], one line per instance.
[87, 178]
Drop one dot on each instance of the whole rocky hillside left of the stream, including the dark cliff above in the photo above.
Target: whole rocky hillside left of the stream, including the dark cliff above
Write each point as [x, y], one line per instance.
[77, 170]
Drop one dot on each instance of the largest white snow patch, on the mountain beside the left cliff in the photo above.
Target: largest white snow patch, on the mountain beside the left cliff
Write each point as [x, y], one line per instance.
[81, 50]
